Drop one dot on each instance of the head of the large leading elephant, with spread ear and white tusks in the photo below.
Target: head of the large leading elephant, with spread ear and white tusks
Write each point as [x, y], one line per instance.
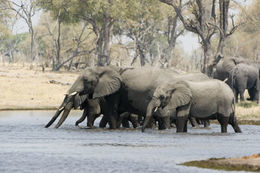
[94, 82]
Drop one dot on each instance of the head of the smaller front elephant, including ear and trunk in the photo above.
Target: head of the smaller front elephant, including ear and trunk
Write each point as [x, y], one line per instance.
[168, 96]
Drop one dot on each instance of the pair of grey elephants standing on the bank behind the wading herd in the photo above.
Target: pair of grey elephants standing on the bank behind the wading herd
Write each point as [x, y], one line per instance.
[241, 75]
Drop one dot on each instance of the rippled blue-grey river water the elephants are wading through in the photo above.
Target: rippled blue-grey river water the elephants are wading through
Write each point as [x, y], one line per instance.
[26, 146]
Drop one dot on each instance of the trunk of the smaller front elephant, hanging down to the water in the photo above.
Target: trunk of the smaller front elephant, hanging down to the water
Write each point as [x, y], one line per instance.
[152, 106]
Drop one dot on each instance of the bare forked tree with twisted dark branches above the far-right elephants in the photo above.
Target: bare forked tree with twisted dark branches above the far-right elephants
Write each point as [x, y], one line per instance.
[202, 20]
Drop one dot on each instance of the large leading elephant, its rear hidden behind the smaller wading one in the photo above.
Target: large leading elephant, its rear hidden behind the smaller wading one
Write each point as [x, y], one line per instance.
[124, 90]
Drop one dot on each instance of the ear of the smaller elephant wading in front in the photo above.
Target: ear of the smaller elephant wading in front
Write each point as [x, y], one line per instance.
[181, 95]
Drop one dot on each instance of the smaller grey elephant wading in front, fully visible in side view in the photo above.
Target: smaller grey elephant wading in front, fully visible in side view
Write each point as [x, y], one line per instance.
[211, 99]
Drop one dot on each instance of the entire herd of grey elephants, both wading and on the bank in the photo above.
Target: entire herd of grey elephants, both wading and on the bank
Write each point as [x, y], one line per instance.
[149, 97]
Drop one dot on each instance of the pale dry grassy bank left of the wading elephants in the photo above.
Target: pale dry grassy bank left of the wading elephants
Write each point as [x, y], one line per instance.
[21, 88]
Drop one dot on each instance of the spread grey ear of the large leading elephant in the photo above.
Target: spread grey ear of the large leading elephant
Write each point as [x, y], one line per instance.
[109, 82]
